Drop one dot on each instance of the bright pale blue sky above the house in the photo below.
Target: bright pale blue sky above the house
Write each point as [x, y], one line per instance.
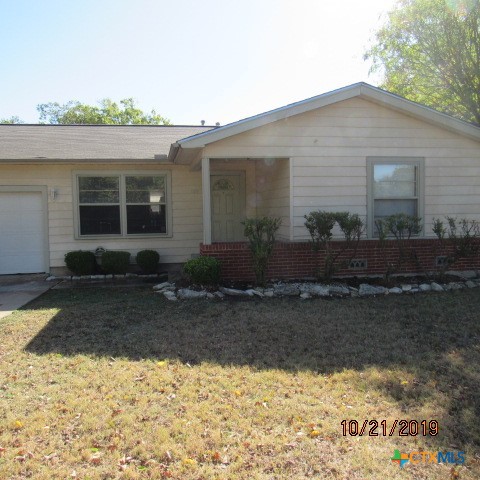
[190, 60]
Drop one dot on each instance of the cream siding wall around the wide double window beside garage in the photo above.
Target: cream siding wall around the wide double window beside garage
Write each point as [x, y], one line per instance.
[187, 227]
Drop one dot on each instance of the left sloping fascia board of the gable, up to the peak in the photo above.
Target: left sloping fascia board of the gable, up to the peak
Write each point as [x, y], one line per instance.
[203, 139]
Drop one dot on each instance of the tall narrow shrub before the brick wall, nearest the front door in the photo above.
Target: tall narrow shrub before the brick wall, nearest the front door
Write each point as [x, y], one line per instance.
[261, 236]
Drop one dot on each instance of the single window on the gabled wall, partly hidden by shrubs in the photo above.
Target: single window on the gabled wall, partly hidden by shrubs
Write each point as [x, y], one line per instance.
[394, 186]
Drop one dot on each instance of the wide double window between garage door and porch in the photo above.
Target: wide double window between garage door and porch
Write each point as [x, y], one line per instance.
[122, 204]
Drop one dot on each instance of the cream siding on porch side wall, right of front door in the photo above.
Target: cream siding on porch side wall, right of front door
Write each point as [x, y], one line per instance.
[273, 192]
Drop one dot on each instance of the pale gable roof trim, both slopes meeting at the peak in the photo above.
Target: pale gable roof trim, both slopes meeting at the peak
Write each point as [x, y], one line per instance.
[362, 90]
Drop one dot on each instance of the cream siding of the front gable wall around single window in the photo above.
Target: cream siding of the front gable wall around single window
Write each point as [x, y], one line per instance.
[328, 148]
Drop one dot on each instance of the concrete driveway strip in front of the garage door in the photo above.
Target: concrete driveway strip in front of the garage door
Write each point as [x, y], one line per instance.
[18, 290]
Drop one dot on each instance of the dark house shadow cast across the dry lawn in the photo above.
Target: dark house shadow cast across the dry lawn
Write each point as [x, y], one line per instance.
[434, 337]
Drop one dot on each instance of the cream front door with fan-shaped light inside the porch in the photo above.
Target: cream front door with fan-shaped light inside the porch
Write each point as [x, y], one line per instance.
[228, 206]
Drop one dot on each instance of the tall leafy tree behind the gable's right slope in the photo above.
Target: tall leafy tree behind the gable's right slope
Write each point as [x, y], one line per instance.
[429, 52]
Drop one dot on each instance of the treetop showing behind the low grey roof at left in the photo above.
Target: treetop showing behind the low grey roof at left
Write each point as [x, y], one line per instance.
[106, 113]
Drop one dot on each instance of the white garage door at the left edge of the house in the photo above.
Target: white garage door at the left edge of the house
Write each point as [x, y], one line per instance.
[22, 233]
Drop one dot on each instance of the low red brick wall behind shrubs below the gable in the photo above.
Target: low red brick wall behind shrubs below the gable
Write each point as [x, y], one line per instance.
[297, 260]
